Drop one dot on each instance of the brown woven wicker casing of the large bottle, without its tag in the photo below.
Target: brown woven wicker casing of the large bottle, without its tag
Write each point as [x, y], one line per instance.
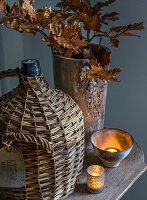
[47, 126]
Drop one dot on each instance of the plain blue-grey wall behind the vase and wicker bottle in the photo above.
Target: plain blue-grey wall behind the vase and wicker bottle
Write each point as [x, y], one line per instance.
[126, 102]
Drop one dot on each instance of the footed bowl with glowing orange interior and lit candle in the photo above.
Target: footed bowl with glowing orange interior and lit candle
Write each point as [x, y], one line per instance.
[112, 146]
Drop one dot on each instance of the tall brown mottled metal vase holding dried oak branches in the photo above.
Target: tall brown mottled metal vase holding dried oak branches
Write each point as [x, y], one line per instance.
[90, 94]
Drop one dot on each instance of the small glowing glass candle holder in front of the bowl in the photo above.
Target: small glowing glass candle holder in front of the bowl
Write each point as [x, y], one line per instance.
[95, 179]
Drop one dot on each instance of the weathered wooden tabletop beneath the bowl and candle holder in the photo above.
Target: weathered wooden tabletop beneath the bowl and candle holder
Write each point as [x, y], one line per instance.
[118, 180]
